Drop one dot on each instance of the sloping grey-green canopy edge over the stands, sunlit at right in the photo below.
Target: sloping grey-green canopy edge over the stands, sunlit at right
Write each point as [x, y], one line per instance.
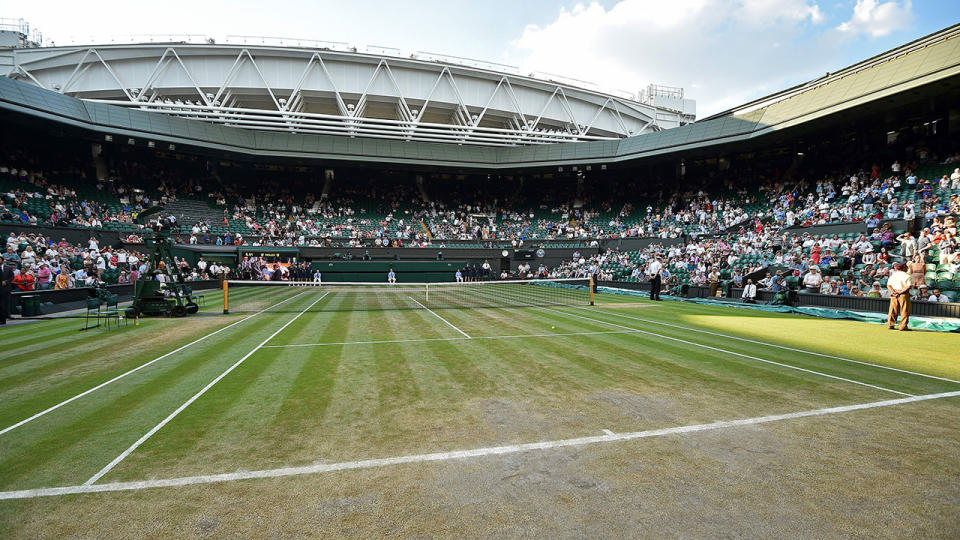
[931, 59]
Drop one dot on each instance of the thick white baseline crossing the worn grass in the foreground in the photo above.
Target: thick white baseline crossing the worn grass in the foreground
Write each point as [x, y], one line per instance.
[454, 455]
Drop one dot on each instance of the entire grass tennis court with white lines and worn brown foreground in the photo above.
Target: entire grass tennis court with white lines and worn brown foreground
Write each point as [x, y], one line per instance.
[482, 393]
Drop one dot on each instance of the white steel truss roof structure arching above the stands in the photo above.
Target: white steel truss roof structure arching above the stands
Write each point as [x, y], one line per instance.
[338, 91]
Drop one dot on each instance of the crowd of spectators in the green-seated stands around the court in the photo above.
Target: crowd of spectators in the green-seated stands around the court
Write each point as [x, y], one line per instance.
[723, 229]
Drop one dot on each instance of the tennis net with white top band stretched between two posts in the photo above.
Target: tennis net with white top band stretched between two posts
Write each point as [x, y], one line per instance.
[253, 296]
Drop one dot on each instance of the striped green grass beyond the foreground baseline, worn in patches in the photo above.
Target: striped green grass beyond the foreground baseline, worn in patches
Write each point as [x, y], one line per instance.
[290, 406]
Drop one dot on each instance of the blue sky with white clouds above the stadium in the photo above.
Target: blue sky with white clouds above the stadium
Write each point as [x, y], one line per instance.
[722, 52]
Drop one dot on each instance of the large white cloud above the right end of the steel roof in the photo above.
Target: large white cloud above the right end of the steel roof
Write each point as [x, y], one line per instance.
[724, 52]
